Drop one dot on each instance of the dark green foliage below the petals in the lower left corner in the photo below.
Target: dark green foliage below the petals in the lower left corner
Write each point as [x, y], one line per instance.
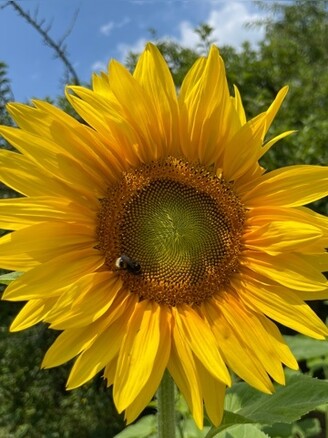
[34, 402]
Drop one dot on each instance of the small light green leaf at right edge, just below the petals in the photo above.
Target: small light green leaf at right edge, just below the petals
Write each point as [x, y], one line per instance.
[305, 348]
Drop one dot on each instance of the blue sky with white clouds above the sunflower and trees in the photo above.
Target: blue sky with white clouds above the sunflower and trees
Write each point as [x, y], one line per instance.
[106, 29]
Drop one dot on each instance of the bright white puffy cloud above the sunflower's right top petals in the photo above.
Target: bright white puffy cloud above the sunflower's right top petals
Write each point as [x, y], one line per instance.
[229, 26]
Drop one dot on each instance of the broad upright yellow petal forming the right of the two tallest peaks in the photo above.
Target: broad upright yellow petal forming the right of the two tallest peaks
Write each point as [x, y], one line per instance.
[208, 116]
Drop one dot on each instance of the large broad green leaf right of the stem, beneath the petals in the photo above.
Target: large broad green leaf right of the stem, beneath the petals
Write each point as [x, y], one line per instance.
[301, 394]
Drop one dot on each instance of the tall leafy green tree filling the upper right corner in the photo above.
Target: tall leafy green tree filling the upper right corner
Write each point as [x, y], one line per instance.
[295, 52]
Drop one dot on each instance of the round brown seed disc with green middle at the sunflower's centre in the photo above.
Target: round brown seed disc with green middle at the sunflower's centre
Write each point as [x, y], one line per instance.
[180, 223]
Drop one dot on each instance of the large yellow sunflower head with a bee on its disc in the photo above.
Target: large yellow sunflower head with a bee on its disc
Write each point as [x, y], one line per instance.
[151, 236]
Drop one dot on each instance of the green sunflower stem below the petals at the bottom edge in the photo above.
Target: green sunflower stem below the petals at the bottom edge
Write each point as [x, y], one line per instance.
[166, 407]
